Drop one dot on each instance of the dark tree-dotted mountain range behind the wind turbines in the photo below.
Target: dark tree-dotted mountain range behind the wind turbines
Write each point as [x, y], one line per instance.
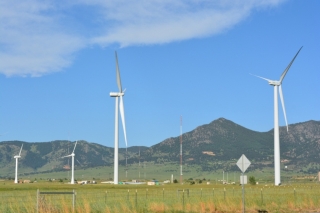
[212, 146]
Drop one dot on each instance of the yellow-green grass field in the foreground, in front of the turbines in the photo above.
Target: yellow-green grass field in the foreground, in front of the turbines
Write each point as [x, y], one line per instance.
[163, 198]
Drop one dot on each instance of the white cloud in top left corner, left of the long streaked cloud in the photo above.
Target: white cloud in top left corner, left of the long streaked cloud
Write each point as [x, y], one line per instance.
[33, 41]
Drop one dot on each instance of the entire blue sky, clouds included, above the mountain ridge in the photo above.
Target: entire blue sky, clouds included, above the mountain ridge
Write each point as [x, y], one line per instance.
[189, 58]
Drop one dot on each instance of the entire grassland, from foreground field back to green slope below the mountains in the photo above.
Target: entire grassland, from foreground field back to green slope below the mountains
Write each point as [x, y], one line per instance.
[297, 194]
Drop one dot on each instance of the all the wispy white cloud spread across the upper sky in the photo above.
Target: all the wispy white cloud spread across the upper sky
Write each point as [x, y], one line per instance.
[39, 37]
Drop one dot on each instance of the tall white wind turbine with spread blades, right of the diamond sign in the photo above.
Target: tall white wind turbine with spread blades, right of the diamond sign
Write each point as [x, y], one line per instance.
[277, 85]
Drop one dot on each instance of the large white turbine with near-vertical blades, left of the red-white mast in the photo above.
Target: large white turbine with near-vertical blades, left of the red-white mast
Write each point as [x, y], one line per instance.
[116, 132]
